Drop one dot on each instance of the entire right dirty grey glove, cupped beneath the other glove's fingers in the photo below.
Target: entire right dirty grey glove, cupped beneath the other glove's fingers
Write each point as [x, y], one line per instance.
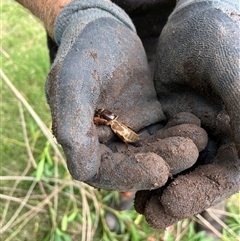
[197, 70]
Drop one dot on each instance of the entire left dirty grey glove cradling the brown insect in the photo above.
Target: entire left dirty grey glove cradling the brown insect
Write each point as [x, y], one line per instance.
[101, 64]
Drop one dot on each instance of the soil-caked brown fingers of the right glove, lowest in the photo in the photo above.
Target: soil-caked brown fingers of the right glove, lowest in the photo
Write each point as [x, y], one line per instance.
[192, 193]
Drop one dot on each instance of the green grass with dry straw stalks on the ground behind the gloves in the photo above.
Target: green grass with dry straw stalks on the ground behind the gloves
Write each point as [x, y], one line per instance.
[39, 199]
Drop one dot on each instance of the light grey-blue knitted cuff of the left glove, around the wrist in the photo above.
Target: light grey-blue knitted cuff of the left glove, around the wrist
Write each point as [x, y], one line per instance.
[83, 12]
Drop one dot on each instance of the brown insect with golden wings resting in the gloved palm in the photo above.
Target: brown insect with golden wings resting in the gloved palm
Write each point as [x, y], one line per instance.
[106, 117]
